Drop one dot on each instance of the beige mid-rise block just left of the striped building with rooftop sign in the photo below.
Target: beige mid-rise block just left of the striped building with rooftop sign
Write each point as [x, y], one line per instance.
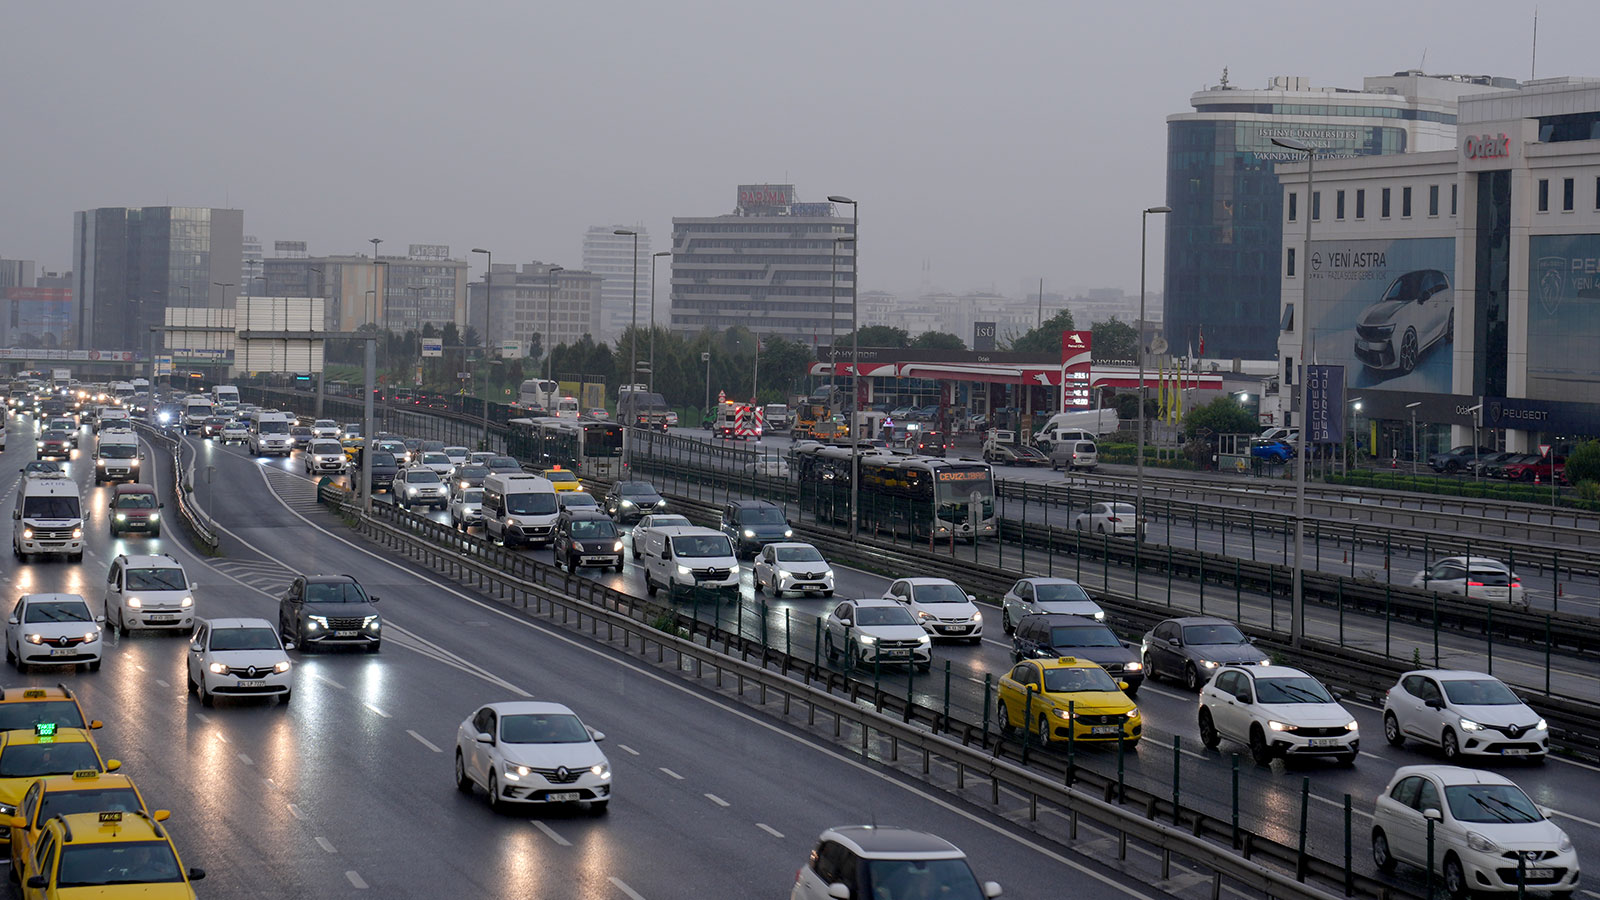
[529, 305]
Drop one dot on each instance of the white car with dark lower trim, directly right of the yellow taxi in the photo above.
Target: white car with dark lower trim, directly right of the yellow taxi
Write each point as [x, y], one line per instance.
[1279, 713]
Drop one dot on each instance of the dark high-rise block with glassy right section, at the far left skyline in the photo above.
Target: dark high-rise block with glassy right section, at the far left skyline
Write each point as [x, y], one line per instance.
[132, 263]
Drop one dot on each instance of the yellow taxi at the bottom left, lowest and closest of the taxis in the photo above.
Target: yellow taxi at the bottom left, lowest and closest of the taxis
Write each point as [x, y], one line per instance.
[105, 854]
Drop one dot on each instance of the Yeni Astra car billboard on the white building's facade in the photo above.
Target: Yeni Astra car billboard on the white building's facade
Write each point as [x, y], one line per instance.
[1386, 311]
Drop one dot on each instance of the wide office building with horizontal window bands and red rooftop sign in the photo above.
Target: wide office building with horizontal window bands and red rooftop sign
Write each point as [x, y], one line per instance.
[774, 265]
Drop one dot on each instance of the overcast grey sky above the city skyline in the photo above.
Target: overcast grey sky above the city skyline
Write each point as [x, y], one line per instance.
[991, 142]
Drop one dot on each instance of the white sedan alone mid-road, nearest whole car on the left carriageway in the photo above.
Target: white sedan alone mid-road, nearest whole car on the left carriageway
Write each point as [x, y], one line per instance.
[532, 753]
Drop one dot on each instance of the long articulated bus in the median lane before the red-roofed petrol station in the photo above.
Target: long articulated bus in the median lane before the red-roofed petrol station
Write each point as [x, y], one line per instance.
[921, 497]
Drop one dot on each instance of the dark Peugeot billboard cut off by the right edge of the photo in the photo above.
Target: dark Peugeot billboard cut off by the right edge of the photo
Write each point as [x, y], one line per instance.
[1564, 318]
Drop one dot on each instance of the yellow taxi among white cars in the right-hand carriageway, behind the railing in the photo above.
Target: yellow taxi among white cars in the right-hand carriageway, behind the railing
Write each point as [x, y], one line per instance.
[1071, 697]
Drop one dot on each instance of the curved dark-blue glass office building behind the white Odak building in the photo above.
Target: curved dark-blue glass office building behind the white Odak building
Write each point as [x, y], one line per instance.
[1225, 236]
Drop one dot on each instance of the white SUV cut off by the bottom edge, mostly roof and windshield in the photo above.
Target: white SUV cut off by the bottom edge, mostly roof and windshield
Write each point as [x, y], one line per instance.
[882, 861]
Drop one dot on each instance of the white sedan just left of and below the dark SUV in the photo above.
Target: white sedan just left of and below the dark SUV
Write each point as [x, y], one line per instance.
[239, 657]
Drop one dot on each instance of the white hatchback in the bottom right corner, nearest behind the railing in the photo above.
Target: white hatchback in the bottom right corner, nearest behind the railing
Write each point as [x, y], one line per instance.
[1484, 826]
